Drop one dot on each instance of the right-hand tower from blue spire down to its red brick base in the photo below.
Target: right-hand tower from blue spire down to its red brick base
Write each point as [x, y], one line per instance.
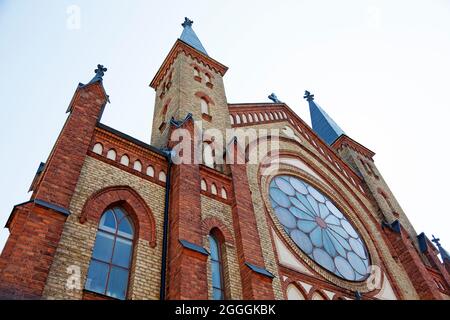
[412, 250]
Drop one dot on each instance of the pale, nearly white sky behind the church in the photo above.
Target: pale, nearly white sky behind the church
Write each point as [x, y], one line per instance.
[381, 69]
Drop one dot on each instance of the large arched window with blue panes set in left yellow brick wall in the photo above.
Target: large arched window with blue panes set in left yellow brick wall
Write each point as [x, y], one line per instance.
[111, 258]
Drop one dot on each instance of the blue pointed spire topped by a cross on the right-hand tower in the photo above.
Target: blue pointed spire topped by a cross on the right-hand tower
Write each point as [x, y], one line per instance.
[321, 122]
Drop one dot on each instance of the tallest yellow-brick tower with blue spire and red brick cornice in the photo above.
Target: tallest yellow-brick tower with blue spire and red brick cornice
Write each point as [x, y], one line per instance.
[188, 81]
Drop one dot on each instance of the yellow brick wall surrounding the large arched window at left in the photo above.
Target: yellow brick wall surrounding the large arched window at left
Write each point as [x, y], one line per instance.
[77, 239]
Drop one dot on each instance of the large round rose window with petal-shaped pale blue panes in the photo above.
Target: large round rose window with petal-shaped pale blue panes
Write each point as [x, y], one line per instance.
[318, 228]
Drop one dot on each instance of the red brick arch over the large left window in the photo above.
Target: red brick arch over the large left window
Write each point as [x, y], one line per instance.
[131, 201]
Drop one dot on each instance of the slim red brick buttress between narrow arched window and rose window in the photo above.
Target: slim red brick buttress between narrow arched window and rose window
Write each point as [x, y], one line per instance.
[256, 282]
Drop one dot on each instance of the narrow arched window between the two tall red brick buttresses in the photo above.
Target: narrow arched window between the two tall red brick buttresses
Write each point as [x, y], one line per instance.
[216, 268]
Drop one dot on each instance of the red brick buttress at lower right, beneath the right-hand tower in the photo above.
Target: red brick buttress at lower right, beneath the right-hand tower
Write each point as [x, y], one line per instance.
[413, 264]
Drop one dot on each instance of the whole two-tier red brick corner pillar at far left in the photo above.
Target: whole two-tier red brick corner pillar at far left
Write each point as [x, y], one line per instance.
[35, 227]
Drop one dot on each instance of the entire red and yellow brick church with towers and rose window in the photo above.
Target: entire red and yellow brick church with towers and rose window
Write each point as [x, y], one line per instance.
[227, 201]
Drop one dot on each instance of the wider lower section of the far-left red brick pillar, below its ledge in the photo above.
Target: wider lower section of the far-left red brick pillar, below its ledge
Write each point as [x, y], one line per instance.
[28, 253]
